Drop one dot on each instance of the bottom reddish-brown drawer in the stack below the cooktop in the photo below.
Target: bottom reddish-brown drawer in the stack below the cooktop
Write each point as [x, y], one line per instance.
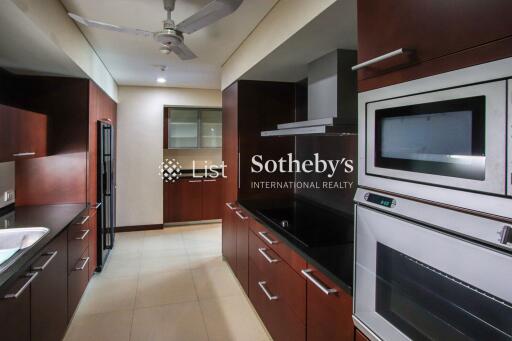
[267, 298]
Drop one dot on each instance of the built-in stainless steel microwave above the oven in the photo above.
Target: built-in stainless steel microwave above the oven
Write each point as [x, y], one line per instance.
[446, 138]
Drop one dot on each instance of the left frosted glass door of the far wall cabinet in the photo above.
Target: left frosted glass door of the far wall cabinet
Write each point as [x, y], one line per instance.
[183, 128]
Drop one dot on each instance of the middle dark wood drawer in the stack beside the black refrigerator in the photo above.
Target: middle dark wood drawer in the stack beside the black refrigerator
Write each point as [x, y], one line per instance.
[78, 240]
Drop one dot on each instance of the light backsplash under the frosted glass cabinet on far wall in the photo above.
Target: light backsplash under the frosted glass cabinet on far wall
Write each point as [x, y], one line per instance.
[213, 156]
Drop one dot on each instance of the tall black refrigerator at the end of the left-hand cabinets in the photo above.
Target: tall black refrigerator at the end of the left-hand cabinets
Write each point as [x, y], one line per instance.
[106, 190]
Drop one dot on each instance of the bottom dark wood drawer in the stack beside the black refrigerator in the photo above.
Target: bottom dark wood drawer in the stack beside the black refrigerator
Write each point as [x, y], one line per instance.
[77, 281]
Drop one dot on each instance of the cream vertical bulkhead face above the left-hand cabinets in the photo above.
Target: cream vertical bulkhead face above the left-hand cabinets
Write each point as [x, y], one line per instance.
[51, 18]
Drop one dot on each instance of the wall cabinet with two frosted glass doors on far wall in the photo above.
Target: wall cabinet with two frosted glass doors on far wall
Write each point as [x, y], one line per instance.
[193, 128]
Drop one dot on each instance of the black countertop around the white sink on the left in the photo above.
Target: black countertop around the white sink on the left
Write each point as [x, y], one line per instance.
[53, 217]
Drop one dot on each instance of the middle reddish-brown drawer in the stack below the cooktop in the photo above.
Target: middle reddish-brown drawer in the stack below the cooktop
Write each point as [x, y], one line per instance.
[285, 282]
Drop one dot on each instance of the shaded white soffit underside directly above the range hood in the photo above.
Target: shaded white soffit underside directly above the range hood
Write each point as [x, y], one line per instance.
[335, 28]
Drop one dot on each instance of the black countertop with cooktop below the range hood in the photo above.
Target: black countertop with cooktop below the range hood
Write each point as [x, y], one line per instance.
[334, 257]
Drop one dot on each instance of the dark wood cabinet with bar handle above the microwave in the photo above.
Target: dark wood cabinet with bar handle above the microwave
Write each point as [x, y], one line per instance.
[441, 36]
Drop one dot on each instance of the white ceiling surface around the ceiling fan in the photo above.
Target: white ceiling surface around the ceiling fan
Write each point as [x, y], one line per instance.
[132, 59]
